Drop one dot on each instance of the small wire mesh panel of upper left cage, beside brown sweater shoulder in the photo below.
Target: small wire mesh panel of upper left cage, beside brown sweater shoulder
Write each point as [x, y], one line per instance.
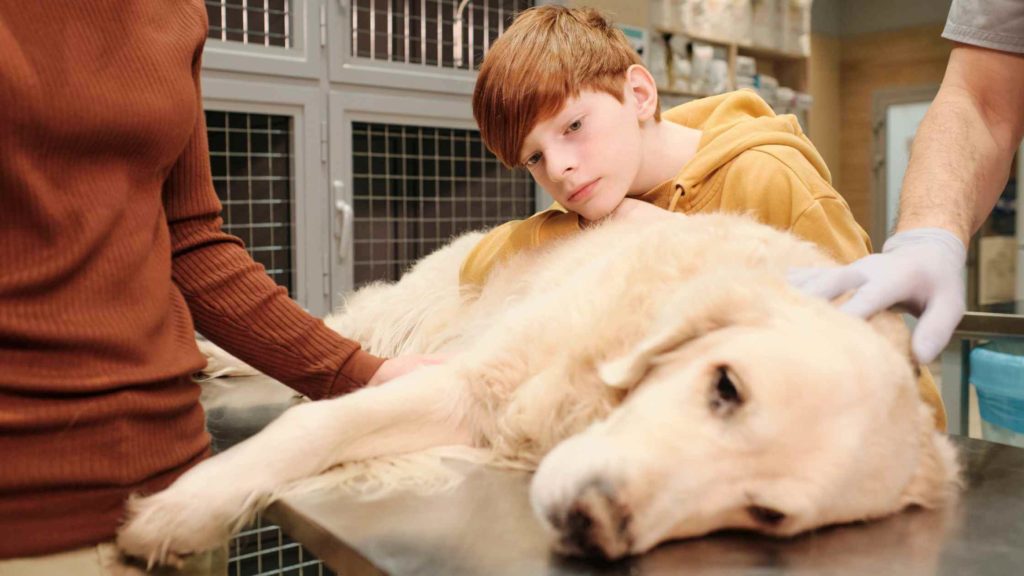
[267, 23]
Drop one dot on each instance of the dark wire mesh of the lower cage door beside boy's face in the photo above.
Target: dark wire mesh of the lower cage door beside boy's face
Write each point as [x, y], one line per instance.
[415, 188]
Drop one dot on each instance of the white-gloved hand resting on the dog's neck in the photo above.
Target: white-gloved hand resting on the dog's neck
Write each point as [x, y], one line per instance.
[920, 269]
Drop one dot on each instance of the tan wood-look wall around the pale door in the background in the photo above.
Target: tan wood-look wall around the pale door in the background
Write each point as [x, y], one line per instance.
[859, 48]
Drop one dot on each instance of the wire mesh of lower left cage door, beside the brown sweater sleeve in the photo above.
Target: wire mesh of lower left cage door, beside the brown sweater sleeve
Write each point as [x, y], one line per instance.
[251, 164]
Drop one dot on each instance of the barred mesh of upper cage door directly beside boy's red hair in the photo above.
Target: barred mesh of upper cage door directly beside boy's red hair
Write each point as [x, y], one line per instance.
[431, 32]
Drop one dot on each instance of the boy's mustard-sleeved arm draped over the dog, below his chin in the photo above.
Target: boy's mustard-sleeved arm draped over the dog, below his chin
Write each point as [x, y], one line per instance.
[513, 238]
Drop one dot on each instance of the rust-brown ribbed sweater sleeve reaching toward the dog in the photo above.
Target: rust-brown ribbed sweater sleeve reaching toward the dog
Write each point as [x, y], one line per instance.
[234, 303]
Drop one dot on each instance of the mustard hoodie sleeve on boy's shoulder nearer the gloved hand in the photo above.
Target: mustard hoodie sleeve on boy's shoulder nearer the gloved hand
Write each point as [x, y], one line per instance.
[780, 188]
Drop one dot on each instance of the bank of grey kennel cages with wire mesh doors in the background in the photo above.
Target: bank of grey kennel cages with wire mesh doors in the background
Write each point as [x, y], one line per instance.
[414, 184]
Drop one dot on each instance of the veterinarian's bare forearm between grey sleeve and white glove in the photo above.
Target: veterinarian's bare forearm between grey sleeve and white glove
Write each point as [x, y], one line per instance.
[963, 152]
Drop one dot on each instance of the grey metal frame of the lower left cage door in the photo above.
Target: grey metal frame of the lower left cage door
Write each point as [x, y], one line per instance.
[303, 104]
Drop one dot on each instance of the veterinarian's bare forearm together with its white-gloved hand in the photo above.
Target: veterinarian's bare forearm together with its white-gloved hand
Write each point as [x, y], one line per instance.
[959, 166]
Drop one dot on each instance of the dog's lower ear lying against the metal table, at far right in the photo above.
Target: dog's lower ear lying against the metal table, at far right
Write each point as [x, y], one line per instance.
[937, 477]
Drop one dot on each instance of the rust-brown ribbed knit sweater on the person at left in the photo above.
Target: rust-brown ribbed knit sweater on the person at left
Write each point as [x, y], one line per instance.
[110, 249]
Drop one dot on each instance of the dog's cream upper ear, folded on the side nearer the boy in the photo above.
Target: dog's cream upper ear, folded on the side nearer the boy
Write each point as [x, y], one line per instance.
[705, 306]
